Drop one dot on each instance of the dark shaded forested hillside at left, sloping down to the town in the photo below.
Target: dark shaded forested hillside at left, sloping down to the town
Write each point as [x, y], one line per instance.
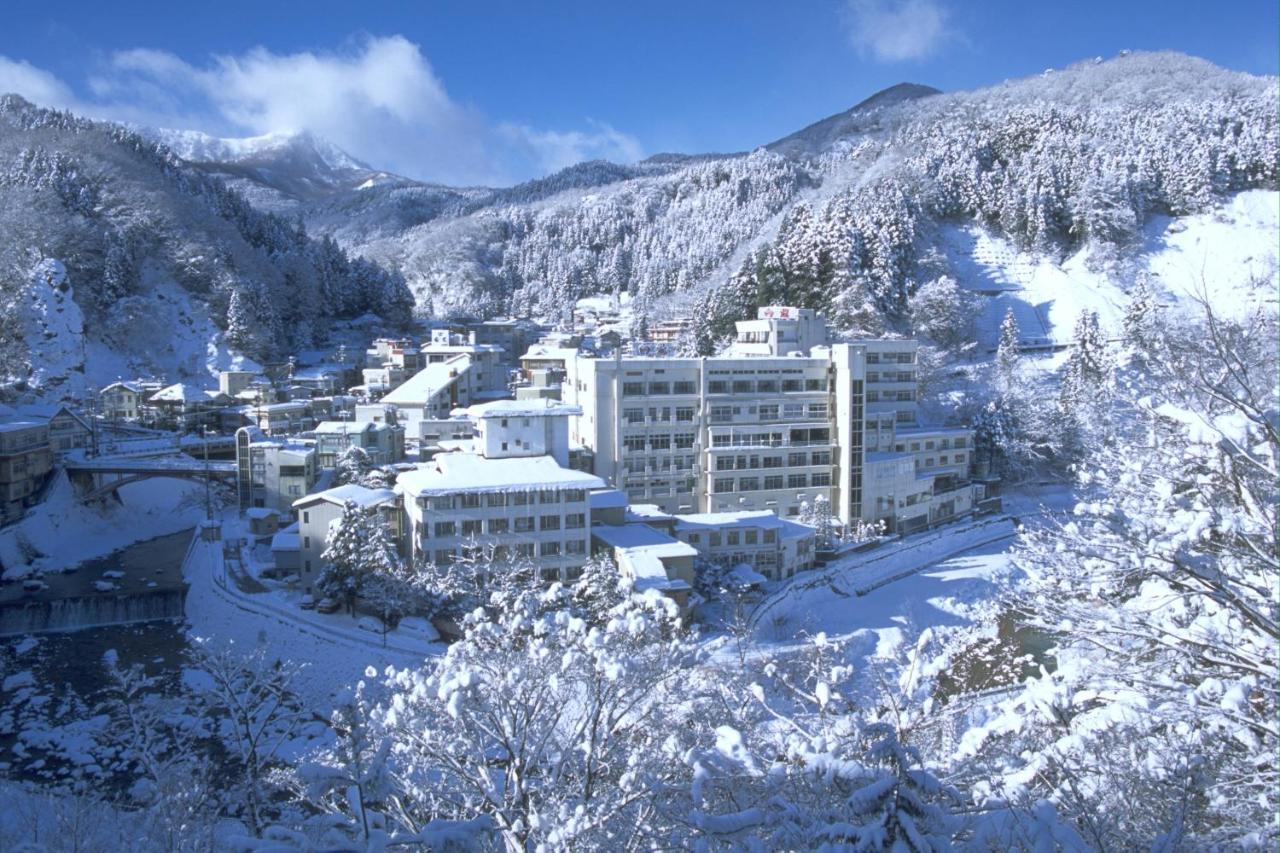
[162, 259]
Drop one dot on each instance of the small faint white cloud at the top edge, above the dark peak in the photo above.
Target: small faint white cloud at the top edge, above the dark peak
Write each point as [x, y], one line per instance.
[899, 30]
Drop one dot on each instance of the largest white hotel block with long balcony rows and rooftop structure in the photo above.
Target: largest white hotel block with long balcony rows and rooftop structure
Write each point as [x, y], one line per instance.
[781, 421]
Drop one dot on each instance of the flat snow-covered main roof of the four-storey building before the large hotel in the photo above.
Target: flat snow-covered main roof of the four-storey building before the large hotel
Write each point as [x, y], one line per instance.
[452, 473]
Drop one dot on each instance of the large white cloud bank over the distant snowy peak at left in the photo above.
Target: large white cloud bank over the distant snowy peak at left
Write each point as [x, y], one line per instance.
[380, 99]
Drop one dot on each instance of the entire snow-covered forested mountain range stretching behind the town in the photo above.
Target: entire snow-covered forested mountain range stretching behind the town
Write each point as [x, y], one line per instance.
[852, 215]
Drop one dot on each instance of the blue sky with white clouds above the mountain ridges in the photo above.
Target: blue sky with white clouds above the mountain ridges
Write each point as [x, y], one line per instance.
[501, 92]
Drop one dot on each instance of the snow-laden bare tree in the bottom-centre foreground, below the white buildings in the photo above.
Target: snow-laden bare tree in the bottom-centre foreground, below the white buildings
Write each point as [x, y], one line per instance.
[536, 729]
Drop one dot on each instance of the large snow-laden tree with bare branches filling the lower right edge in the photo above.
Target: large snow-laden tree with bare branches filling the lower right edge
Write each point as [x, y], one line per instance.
[1158, 726]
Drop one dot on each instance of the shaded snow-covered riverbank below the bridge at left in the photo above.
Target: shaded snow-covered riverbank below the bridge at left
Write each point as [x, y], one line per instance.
[63, 532]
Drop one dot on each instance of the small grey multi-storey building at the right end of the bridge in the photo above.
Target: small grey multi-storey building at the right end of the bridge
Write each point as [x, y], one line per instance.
[273, 473]
